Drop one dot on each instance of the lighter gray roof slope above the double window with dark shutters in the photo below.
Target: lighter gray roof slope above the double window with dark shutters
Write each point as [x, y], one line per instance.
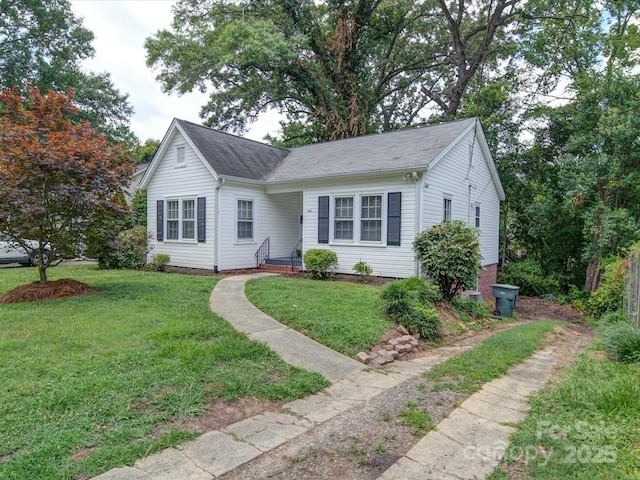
[412, 149]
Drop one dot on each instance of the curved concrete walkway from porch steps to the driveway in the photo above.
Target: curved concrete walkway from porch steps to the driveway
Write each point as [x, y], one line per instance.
[228, 301]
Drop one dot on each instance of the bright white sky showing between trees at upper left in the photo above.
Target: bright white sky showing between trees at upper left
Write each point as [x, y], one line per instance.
[120, 28]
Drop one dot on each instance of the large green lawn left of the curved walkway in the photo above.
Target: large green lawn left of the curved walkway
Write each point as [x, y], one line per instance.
[88, 383]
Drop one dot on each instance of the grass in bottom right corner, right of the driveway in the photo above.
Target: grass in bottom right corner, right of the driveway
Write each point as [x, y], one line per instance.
[587, 427]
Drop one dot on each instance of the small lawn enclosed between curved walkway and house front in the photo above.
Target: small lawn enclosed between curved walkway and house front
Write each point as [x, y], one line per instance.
[343, 316]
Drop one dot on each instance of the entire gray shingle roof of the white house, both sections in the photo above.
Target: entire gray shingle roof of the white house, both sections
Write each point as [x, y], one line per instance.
[413, 149]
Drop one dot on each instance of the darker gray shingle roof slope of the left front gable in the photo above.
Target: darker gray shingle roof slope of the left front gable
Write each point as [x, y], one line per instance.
[234, 156]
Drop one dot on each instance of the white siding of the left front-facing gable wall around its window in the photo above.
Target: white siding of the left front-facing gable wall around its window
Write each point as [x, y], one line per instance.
[189, 182]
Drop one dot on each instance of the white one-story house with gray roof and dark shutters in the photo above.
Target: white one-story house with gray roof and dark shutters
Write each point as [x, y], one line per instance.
[215, 199]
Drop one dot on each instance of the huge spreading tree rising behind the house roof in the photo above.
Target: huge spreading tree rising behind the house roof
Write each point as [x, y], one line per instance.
[335, 68]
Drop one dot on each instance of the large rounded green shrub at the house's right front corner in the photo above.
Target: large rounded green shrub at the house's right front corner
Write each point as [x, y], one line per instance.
[450, 256]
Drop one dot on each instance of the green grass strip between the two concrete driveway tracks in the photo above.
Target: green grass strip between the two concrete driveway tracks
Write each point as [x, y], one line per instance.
[491, 359]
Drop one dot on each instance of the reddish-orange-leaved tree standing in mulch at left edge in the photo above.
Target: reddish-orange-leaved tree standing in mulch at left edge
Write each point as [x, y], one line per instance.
[60, 181]
